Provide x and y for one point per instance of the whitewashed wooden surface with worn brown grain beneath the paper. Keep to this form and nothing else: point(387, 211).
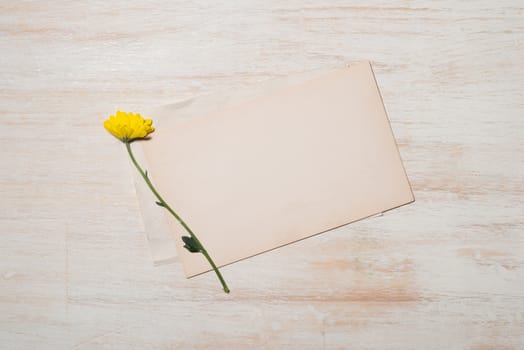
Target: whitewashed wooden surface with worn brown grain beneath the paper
point(446, 272)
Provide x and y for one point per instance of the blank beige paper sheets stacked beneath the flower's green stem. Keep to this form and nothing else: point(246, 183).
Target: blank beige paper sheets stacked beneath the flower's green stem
point(273, 166)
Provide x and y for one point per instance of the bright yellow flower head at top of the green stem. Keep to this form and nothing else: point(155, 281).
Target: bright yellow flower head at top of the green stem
point(128, 126)
